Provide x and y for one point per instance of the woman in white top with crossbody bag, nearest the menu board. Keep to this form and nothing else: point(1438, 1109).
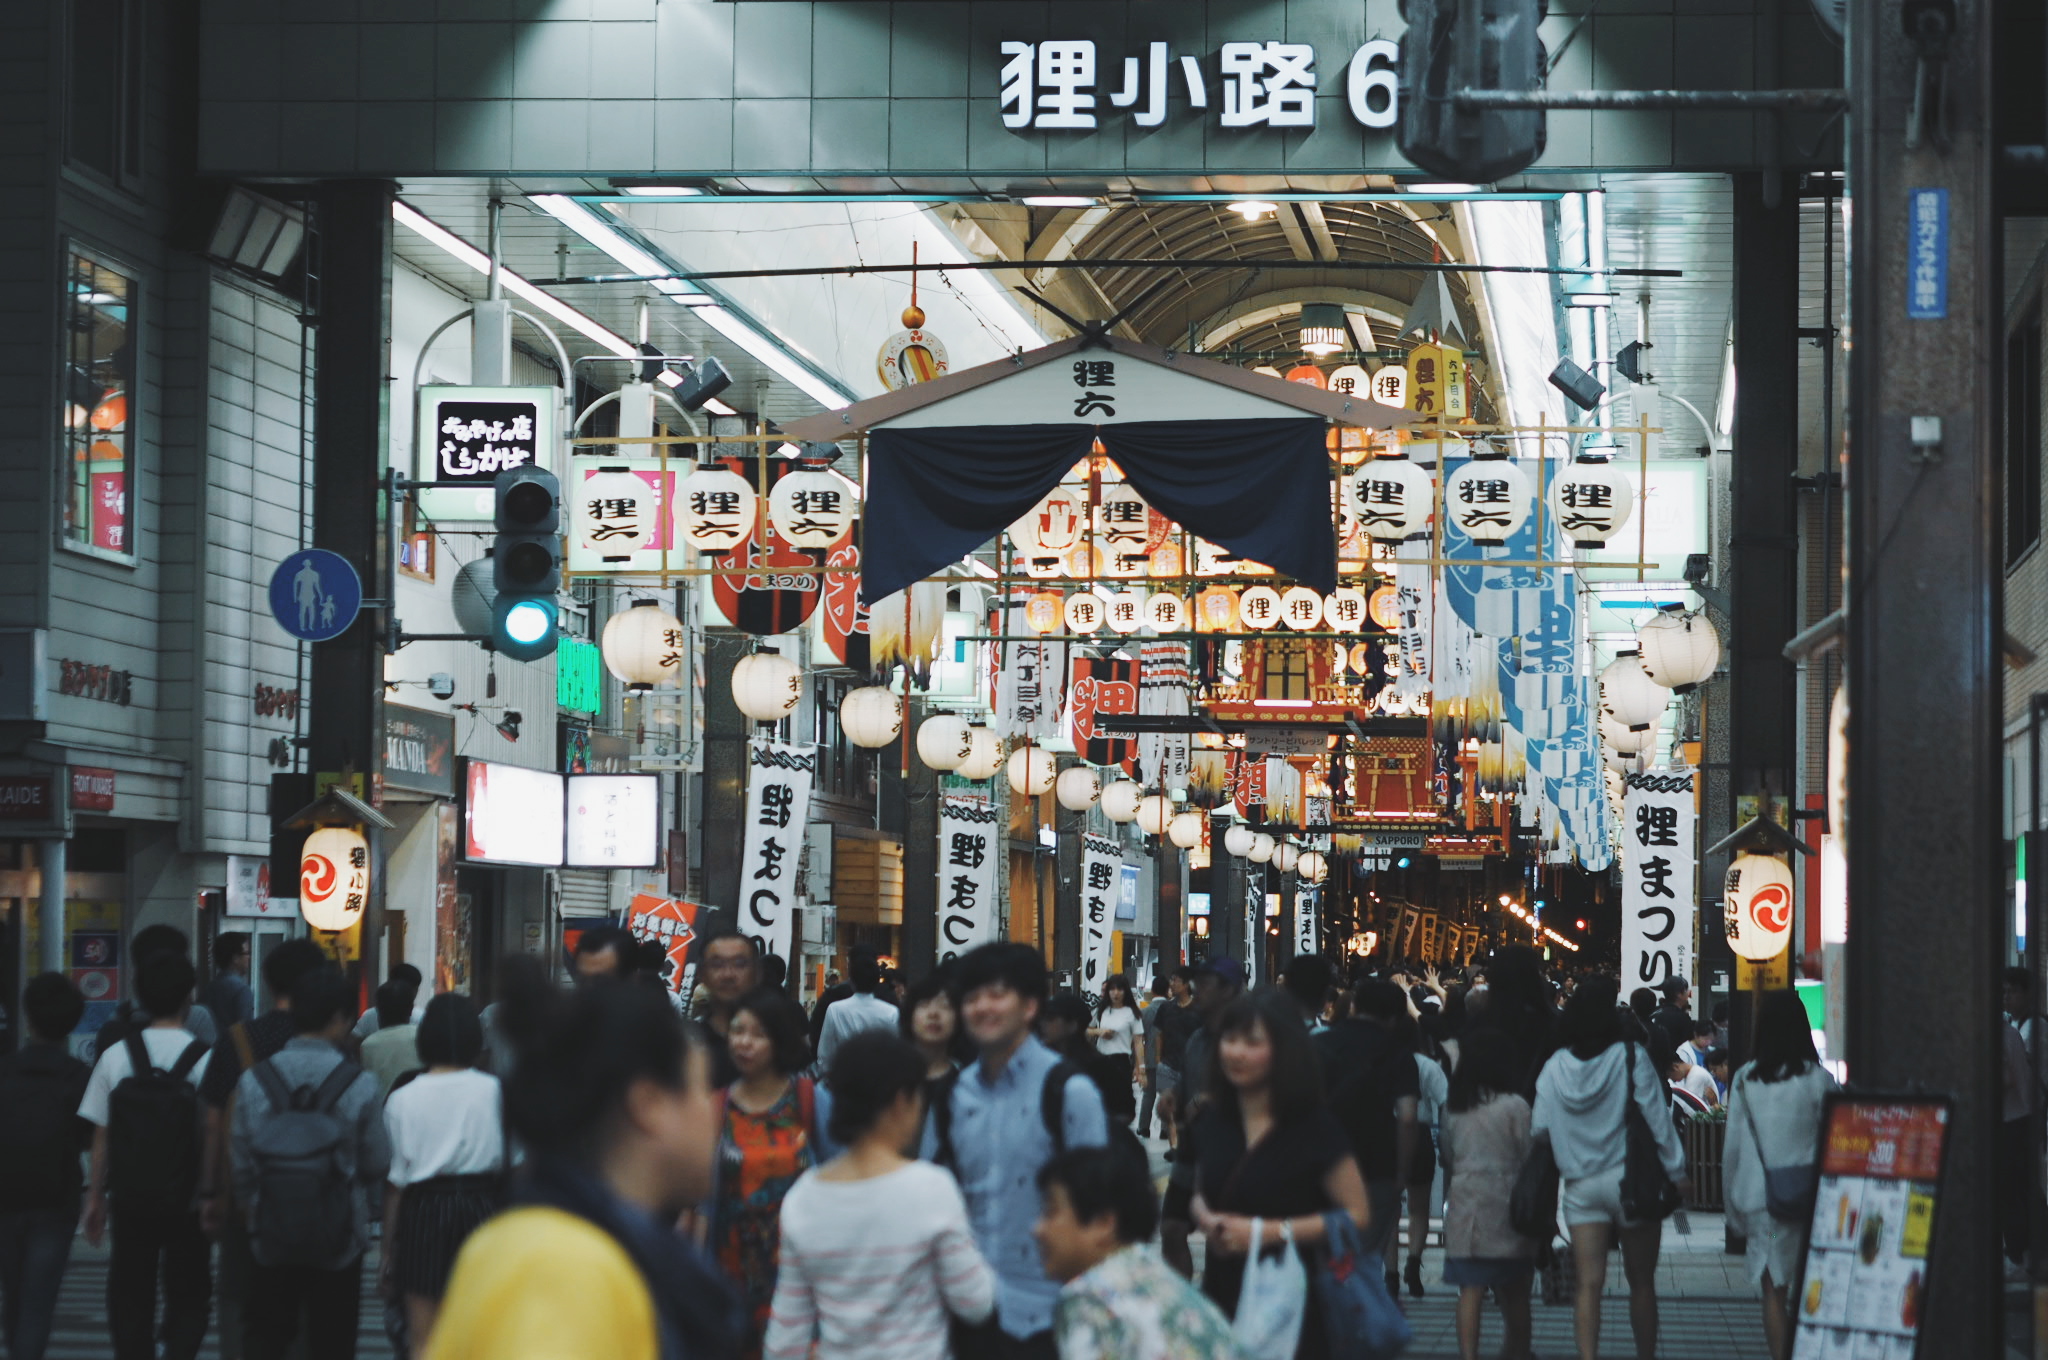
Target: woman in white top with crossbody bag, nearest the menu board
point(1775, 1121)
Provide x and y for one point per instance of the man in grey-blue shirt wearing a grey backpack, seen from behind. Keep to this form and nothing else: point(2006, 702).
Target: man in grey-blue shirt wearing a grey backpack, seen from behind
point(308, 1150)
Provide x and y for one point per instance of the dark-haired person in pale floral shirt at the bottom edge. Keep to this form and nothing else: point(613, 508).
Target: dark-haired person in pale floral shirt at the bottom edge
point(1119, 1302)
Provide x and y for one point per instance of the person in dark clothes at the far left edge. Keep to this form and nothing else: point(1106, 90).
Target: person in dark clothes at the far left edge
point(40, 1144)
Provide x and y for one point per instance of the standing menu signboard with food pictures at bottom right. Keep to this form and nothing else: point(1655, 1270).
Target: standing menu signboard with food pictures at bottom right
point(1865, 1287)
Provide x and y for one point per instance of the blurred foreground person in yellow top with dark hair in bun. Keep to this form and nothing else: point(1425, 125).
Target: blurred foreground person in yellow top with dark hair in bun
point(615, 1107)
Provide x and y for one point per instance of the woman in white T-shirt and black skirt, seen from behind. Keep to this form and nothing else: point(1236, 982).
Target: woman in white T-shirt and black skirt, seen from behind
point(450, 1160)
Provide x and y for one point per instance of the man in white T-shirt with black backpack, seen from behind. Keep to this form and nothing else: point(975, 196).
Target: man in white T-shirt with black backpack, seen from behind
point(144, 1105)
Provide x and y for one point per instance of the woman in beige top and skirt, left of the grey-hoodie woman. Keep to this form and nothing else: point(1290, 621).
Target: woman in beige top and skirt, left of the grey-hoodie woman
point(1486, 1144)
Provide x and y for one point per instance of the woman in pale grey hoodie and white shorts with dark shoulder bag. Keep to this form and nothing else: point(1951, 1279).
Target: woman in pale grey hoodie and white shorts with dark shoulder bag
point(1605, 1156)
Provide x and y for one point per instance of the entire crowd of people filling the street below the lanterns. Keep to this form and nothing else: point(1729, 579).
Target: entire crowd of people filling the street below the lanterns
point(947, 1166)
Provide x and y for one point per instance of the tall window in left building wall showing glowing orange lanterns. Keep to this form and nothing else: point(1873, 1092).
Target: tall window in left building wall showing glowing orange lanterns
point(97, 407)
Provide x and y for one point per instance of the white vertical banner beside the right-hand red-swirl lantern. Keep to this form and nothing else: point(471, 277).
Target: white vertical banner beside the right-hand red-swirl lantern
point(1660, 863)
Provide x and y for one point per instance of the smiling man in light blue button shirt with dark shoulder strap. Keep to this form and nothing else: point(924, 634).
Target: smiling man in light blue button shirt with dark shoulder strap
point(990, 1125)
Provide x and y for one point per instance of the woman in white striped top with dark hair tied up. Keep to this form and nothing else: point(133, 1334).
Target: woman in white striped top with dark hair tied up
point(876, 1246)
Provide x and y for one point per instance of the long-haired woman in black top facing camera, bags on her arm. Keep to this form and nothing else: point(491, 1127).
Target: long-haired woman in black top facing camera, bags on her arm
point(1269, 1148)
